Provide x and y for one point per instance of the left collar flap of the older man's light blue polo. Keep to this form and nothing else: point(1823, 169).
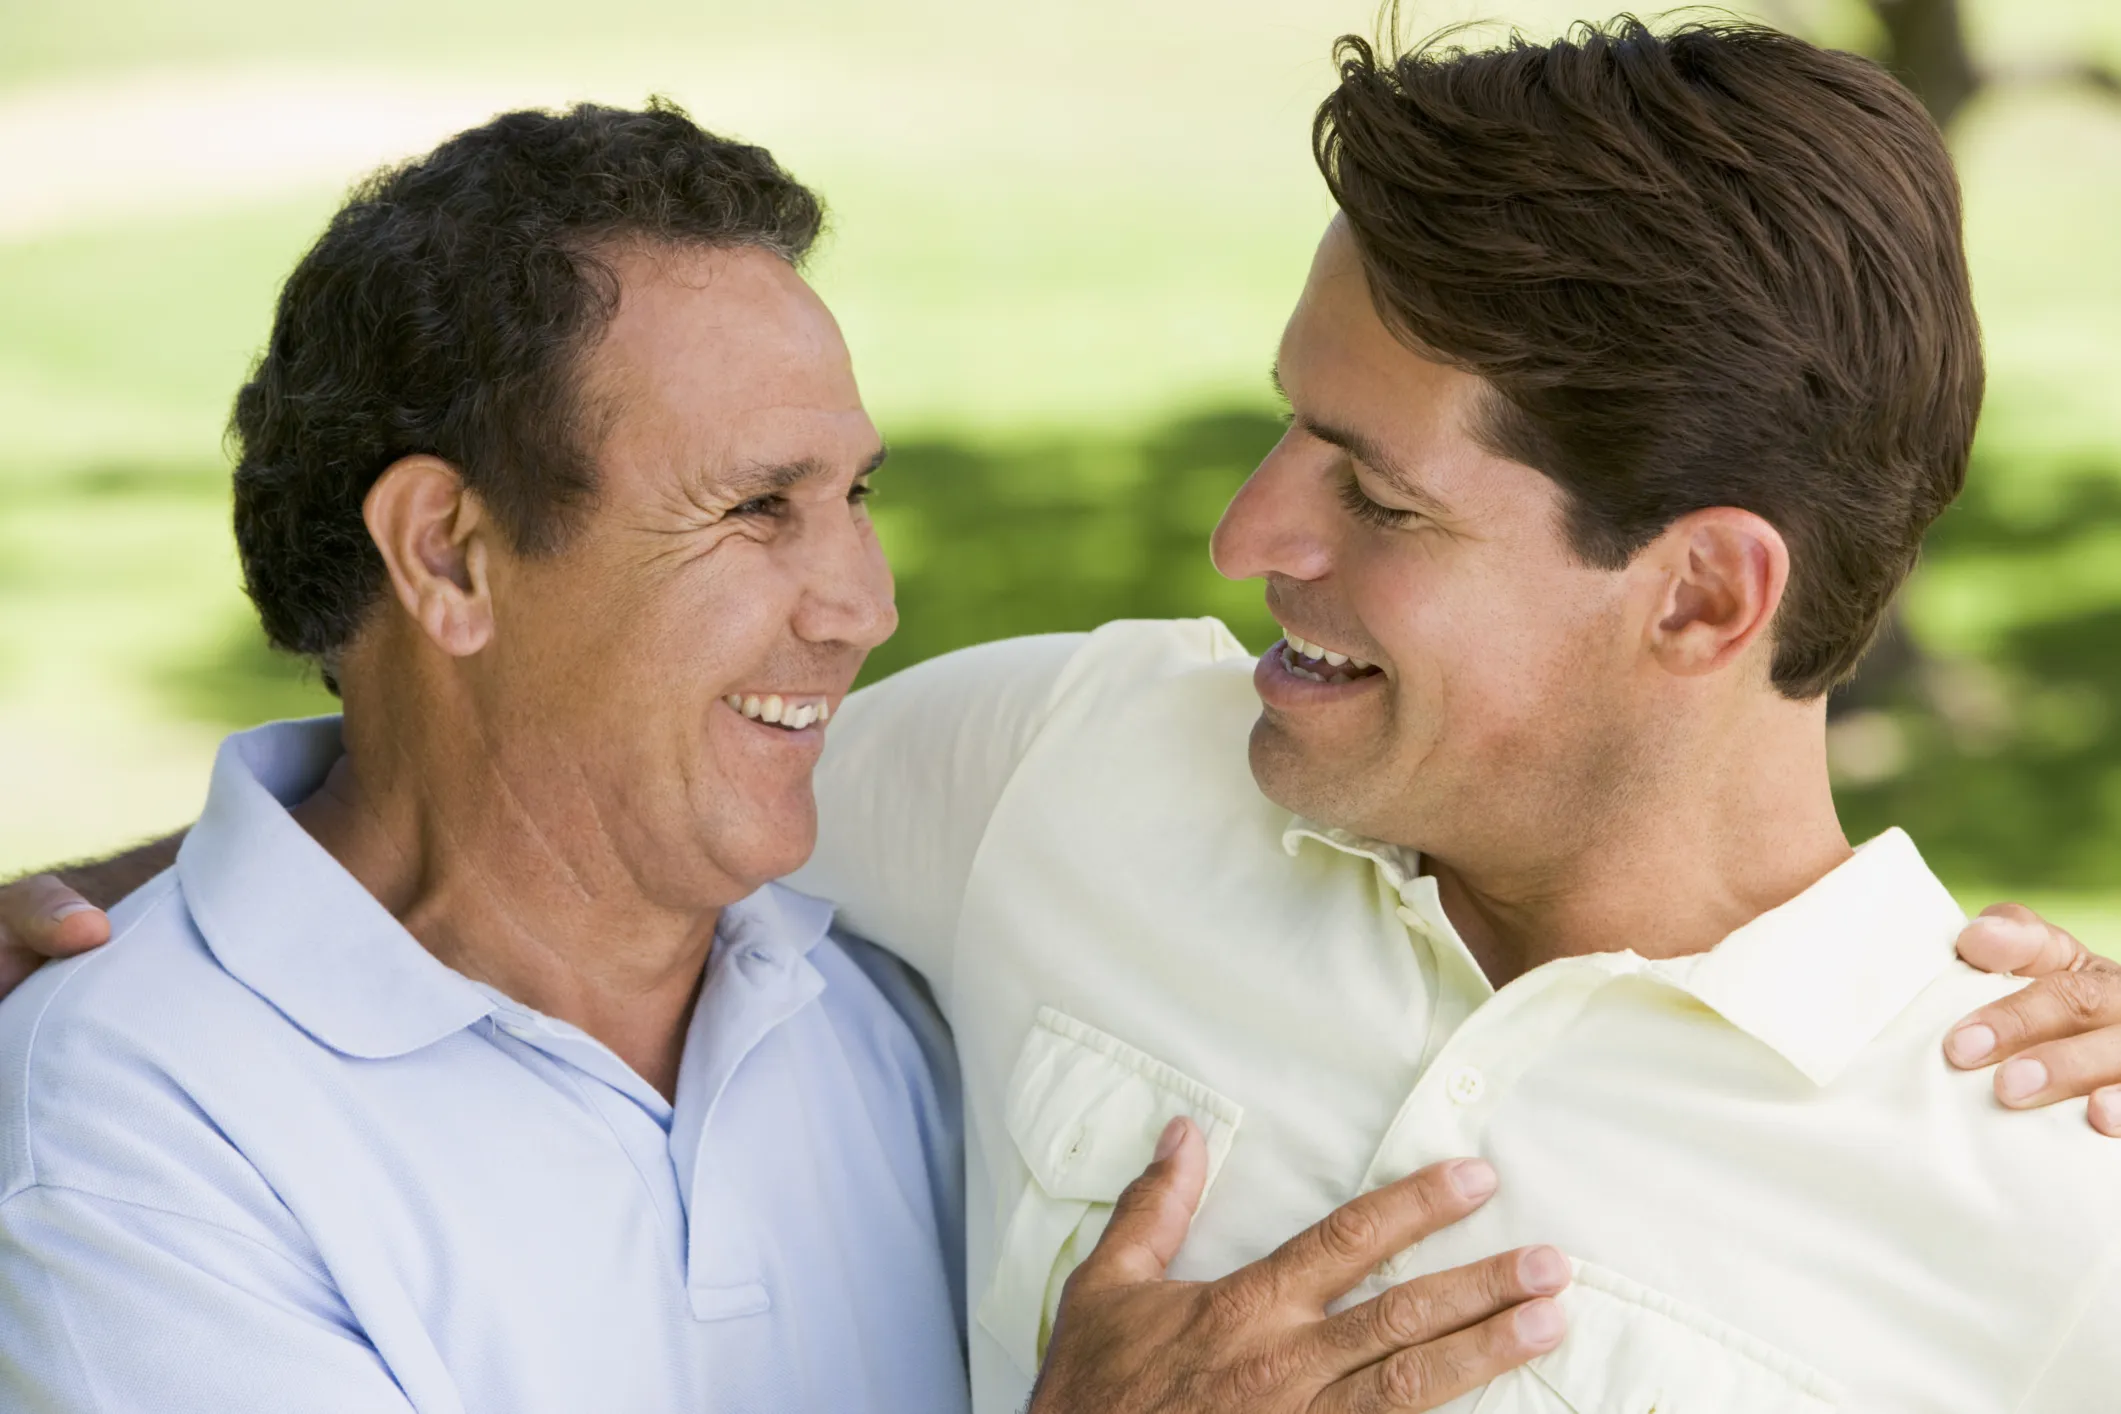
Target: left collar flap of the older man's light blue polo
point(296, 927)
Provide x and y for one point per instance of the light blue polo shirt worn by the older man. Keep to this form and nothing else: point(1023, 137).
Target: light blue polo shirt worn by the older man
point(266, 1154)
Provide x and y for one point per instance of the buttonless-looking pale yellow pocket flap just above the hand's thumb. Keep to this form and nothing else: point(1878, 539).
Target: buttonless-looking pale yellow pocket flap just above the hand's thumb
point(1087, 1110)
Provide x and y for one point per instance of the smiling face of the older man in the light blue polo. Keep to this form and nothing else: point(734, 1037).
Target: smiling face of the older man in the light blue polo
point(724, 578)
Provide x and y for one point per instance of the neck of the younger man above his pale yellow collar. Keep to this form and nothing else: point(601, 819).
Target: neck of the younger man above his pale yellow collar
point(1740, 824)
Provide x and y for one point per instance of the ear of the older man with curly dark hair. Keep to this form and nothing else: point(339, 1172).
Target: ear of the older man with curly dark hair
point(434, 537)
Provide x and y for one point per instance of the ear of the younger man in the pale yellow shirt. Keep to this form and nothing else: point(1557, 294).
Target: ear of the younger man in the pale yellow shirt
point(1723, 578)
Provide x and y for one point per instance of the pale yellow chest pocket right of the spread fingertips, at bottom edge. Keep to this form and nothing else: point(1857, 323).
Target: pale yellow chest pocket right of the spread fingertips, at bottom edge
point(1638, 1351)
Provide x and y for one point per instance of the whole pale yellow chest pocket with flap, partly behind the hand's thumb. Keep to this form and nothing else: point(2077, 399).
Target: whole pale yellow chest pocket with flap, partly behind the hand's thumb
point(1085, 1114)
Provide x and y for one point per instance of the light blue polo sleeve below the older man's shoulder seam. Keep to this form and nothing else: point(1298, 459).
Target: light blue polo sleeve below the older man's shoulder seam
point(116, 1307)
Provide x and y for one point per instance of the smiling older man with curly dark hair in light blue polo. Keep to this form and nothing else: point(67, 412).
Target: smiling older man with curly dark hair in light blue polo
point(468, 1061)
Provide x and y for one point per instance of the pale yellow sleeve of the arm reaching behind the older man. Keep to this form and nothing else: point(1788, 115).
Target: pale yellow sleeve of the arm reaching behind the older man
point(911, 777)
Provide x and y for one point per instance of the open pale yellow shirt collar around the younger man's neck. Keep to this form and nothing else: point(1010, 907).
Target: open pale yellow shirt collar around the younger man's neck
point(1815, 980)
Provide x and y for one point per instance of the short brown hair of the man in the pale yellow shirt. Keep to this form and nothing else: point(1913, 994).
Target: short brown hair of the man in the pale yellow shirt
point(1715, 266)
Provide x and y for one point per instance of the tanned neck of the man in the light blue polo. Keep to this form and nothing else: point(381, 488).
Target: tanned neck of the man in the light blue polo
point(432, 817)
